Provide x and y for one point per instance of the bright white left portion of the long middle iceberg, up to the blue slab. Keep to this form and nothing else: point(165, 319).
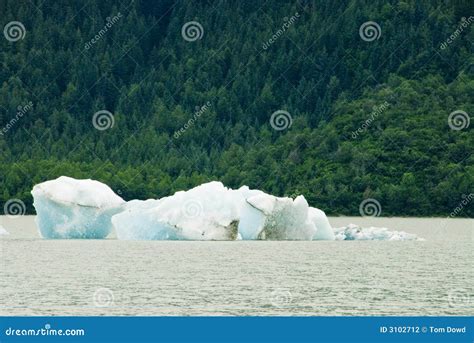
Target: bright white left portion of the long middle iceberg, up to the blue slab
point(207, 212)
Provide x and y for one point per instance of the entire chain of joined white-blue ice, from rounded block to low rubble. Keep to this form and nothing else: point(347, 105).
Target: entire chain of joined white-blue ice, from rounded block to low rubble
point(70, 208)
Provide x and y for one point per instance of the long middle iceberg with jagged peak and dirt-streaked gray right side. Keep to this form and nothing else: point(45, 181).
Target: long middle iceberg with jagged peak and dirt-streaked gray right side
point(212, 211)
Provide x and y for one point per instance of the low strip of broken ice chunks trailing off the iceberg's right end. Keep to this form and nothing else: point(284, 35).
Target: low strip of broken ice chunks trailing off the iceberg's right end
point(355, 232)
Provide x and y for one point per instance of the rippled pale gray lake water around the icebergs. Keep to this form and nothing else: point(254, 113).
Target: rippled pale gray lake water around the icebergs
point(112, 277)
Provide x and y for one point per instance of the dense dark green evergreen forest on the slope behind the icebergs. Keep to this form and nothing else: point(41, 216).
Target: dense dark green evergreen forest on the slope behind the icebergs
point(288, 97)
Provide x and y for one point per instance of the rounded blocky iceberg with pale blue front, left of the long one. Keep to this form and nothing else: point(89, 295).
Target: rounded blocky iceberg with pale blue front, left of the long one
point(70, 208)
